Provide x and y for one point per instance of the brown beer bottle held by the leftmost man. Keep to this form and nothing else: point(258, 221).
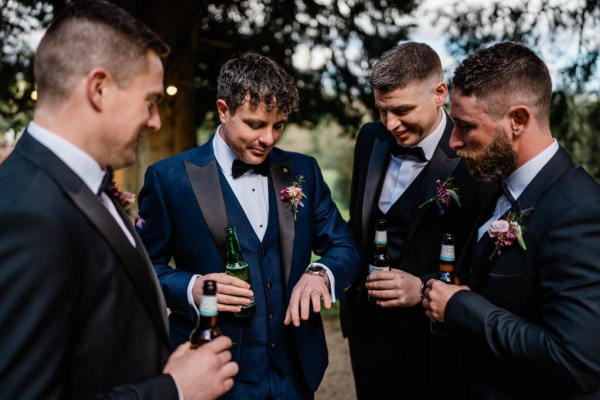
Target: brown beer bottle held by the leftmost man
point(207, 327)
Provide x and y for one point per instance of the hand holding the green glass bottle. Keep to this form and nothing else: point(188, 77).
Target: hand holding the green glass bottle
point(232, 292)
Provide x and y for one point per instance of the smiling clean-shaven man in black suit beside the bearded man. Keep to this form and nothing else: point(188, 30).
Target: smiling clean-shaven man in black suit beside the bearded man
point(393, 352)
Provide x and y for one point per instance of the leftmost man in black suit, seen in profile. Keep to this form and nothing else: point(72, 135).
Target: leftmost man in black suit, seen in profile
point(82, 314)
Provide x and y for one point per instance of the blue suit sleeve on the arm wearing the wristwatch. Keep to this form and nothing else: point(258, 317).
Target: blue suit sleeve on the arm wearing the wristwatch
point(334, 241)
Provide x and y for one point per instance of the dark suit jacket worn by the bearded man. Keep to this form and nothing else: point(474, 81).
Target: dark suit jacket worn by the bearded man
point(531, 325)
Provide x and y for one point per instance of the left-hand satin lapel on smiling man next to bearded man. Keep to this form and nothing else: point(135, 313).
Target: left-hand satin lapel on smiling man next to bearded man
point(375, 173)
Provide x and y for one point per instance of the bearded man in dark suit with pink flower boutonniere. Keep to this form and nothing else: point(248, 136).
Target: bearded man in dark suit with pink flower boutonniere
point(529, 315)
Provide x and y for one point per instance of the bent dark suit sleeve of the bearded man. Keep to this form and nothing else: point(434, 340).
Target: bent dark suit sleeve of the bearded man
point(563, 344)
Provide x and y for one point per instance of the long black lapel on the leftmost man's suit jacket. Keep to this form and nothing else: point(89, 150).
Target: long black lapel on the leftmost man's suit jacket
point(136, 267)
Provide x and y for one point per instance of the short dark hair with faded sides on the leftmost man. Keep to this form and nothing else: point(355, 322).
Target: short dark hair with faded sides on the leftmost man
point(90, 34)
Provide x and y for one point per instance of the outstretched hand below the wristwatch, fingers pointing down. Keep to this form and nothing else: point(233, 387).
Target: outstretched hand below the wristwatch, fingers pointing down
point(309, 289)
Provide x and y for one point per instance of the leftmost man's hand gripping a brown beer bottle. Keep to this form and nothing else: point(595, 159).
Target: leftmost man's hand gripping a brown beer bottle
point(205, 373)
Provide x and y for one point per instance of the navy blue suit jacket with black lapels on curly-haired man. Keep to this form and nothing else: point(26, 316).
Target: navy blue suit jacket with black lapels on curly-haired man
point(185, 215)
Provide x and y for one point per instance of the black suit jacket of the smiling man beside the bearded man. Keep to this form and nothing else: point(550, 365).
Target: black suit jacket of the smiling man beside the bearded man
point(421, 250)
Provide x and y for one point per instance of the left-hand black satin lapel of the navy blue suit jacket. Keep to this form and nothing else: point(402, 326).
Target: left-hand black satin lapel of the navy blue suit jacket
point(207, 189)
